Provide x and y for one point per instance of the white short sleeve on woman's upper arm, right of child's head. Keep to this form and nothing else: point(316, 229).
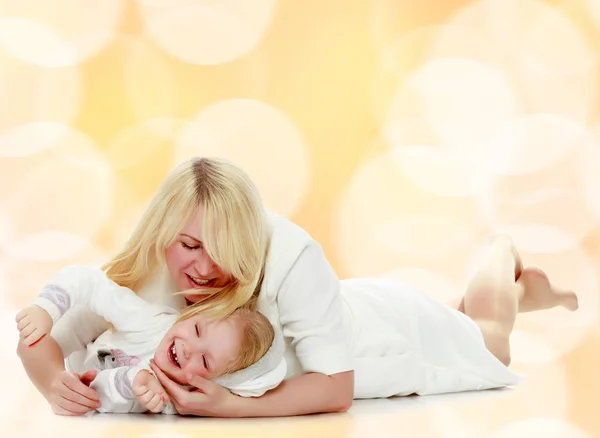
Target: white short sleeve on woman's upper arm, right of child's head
point(311, 313)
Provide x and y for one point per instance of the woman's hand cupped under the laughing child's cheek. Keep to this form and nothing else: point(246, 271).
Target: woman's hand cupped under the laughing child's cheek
point(207, 400)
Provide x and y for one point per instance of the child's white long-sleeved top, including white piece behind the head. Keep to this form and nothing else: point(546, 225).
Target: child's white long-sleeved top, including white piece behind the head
point(138, 326)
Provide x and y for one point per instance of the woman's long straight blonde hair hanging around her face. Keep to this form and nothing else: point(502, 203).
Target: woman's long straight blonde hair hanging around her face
point(235, 230)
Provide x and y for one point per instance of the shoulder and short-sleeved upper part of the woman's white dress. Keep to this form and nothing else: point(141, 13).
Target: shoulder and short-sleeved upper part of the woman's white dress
point(300, 296)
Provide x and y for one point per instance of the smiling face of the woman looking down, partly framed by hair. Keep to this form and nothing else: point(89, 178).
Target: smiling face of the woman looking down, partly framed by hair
point(189, 264)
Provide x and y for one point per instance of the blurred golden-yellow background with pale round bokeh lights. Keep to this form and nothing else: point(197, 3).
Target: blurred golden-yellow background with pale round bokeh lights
point(399, 133)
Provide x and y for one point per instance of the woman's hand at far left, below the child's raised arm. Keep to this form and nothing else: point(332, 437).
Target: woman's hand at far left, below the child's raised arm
point(70, 394)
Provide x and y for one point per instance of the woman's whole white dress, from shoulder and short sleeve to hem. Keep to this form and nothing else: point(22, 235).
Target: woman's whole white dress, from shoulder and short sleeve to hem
point(396, 340)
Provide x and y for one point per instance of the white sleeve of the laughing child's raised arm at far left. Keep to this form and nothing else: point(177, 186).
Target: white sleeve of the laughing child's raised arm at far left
point(77, 286)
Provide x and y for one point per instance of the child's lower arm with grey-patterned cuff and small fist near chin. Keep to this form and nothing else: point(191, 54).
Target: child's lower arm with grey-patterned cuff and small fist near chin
point(131, 390)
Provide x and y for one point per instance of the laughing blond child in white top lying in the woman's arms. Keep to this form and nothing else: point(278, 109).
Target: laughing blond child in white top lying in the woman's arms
point(231, 351)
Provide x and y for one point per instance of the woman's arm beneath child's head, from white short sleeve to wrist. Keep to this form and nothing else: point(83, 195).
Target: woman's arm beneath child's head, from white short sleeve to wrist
point(312, 315)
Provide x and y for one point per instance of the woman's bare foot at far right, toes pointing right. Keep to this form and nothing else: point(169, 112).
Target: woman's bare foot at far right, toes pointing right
point(539, 294)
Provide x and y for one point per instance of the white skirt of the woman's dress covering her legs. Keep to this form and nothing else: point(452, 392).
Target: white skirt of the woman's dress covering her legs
point(408, 343)
